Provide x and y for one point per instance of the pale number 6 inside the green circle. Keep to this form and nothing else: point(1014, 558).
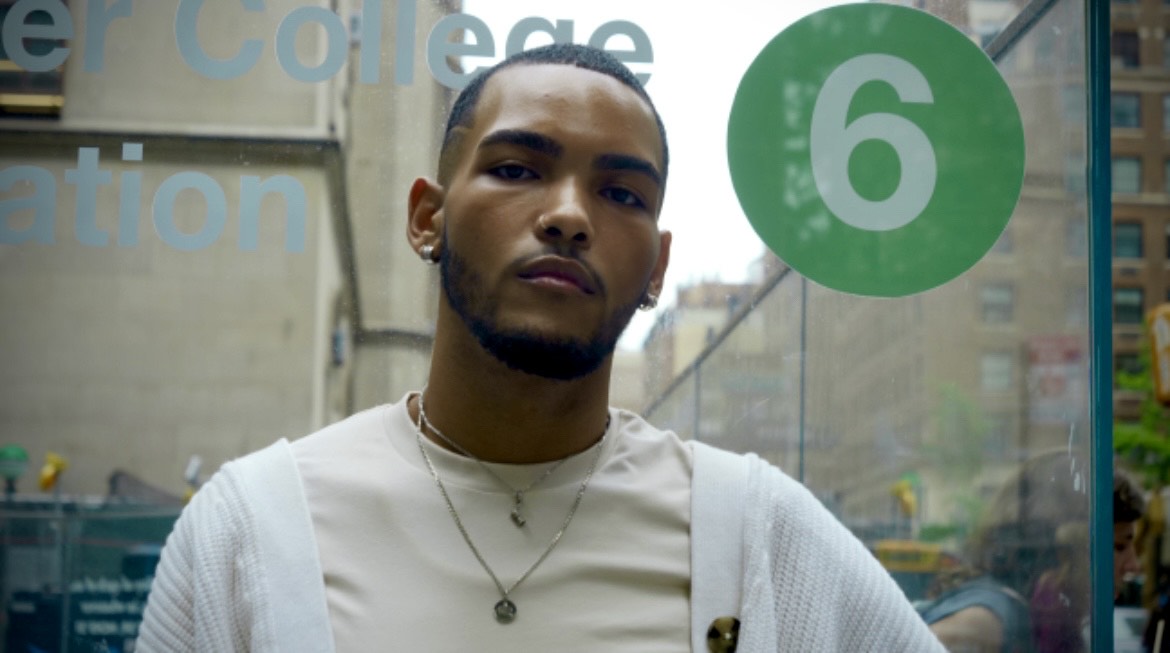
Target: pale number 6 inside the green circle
point(832, 142)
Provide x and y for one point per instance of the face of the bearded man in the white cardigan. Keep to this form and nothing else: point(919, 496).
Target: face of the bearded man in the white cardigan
point(550, 233)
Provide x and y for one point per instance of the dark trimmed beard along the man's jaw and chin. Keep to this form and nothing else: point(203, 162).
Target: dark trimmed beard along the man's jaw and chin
point(519, 349)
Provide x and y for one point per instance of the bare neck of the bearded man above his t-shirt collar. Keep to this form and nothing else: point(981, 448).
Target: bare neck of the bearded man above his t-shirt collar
point(500, 415)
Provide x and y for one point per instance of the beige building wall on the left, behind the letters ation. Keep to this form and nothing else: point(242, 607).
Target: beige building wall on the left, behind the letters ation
point(202, 251)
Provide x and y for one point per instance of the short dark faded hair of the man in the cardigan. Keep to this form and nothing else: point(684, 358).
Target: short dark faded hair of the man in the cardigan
point(589, 58)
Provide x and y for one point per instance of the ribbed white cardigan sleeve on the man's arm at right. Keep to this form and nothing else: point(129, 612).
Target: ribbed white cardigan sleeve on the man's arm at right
point(811, 586)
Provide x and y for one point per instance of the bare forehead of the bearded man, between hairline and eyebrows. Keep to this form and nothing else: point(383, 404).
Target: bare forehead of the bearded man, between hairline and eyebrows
point(569, 105)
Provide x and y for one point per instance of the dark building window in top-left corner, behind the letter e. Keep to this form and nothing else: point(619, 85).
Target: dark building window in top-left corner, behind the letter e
point(24, 93)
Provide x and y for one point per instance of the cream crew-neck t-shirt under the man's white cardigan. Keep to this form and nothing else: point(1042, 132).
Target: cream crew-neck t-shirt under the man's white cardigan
point(400, 575)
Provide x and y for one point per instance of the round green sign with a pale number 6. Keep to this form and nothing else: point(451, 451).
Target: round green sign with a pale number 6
point(876, 149)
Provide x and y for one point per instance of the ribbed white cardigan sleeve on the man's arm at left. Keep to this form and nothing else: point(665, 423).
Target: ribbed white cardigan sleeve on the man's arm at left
point(208, 590)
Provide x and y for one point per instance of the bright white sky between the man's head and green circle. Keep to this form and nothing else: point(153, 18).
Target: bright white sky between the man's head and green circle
point(700, 53)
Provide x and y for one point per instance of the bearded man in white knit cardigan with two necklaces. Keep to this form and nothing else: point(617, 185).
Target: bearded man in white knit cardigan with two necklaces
point(506, 507)
